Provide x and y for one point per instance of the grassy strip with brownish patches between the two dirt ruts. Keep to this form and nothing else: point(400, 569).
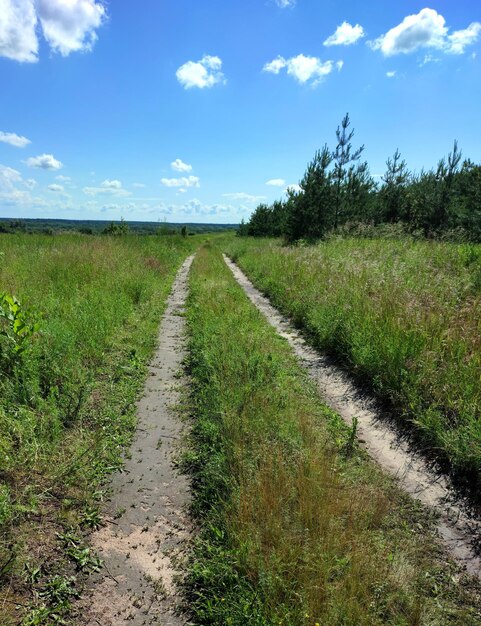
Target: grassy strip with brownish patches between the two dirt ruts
point(297, 527)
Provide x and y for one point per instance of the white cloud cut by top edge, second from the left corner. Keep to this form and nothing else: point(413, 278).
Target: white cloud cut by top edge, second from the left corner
point(69, 25)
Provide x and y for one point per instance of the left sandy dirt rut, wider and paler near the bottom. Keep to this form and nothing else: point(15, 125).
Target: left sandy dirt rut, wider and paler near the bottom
point(149, 525)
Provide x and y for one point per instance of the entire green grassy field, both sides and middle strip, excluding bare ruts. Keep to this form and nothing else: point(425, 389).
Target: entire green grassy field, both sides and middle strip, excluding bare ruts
point(294, 524)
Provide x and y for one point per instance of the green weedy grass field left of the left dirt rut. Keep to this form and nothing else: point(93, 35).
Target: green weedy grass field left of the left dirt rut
point(73, 351)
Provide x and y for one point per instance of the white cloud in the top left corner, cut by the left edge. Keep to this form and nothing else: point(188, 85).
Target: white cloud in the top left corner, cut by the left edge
point(18, 39)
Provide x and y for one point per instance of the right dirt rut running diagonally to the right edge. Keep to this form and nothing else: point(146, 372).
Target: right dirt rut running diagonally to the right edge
point(459, 530)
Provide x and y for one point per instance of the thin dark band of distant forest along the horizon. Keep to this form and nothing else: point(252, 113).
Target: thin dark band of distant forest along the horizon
point(97, 227)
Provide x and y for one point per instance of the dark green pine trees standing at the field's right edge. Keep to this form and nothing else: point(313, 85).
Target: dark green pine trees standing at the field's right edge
point(338, 194)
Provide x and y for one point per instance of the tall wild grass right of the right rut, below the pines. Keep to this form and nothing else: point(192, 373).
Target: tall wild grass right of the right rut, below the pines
point(403, 315)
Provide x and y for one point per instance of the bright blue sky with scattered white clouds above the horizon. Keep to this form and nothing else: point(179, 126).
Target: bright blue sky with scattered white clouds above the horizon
point(188, 111)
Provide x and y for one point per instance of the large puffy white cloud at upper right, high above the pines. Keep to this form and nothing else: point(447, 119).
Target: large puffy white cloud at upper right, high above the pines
point(426, 29)
